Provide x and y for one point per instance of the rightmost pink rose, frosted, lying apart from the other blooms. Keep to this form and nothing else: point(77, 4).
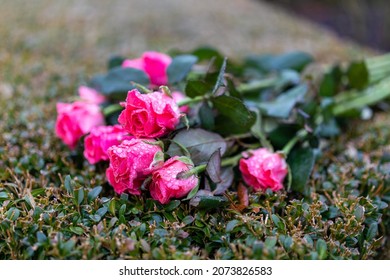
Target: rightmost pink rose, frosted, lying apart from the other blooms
point(262, 169)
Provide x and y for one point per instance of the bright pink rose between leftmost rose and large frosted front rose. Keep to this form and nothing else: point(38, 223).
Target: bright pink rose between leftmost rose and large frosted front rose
point(100, 139)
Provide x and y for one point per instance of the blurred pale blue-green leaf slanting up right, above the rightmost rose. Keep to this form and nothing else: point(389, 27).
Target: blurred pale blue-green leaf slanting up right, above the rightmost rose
point(281, 107)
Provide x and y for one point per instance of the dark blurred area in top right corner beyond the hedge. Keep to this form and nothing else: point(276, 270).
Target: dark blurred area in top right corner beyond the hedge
point(364, 21)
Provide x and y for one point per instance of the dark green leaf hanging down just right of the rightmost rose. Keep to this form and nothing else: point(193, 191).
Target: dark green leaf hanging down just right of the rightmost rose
point(301, 162)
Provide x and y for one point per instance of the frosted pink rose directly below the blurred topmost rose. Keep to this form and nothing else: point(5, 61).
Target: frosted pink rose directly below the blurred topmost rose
point(149, 115)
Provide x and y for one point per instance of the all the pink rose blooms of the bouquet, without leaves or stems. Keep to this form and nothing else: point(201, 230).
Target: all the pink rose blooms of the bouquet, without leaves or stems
point(136, 160)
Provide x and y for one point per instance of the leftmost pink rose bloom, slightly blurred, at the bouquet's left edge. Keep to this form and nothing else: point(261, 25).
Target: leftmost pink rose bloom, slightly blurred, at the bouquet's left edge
point(76, 119)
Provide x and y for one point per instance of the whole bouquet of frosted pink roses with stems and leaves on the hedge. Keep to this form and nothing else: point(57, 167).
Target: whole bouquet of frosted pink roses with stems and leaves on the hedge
point(194, 126)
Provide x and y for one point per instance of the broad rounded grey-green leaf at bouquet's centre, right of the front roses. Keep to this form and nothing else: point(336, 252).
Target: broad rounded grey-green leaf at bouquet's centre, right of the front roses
point(201, 144)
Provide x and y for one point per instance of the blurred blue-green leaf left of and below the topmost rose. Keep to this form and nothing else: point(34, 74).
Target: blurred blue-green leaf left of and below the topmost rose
point(117, 82)
